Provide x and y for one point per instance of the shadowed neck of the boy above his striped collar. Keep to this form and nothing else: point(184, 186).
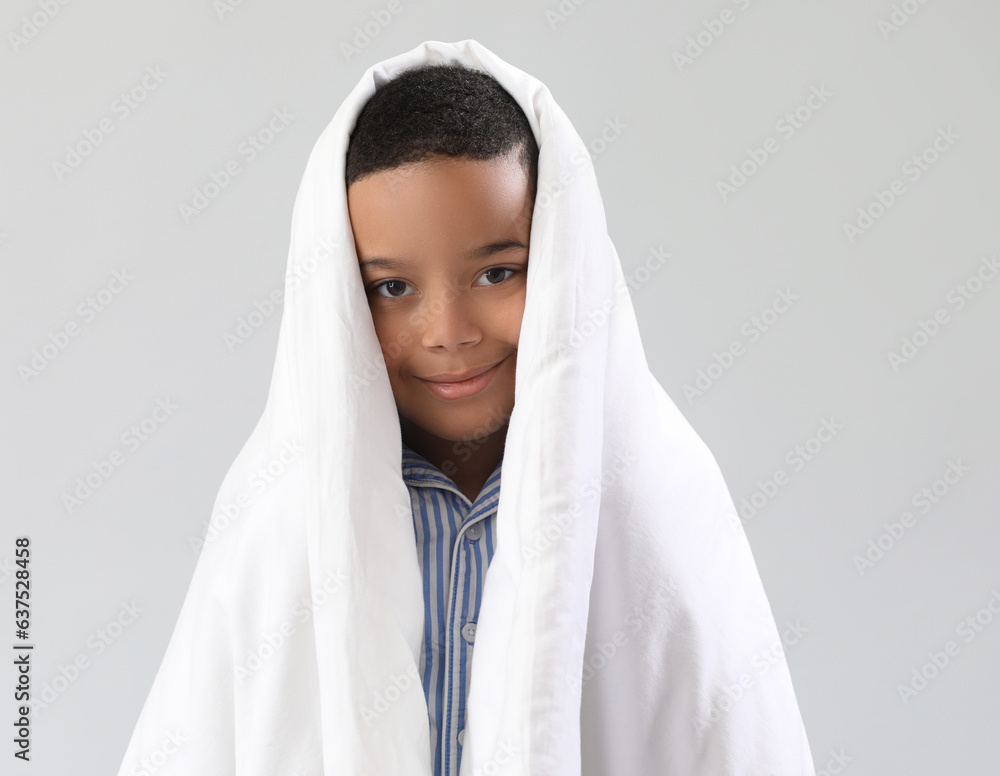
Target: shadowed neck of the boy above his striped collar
point(468, 464)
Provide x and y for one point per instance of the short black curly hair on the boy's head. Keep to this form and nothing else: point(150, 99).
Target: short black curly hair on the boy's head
point(442, 109)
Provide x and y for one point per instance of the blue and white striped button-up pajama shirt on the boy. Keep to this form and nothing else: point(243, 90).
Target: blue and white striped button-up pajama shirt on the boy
point(455, 542)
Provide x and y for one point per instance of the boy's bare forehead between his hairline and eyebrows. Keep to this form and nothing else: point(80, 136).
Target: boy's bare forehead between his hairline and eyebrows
point(443, 204)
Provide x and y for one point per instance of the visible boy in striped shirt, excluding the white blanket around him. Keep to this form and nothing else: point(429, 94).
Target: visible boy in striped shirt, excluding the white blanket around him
point(440, 185)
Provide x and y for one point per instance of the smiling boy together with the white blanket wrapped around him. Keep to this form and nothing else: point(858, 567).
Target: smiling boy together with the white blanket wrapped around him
point(622, 623)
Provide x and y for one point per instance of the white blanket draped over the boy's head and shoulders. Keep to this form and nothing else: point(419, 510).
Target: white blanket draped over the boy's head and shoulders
point(624, 629)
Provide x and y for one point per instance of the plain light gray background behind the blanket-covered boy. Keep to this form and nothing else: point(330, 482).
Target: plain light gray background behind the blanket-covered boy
point(861, 635)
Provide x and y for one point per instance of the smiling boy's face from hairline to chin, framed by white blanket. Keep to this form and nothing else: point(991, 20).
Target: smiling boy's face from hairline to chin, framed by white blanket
point(443, 246)
